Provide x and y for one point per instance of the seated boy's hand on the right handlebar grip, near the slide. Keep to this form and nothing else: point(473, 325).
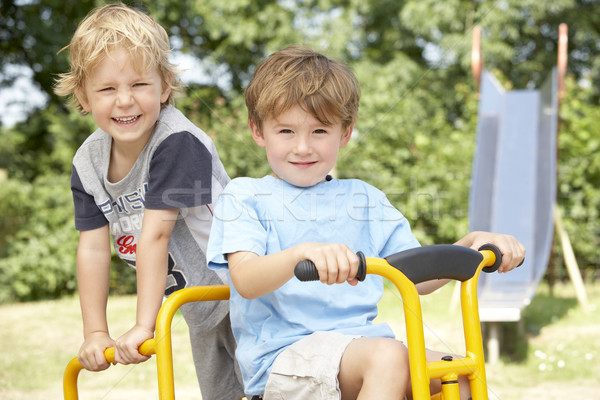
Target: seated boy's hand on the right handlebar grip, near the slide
point(513, 252)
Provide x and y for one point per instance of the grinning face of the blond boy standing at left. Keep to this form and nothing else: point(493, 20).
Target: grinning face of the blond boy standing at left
point(123, 102)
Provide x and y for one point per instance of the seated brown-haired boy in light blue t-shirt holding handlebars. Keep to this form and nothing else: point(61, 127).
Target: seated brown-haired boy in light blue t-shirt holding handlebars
point(299, 340)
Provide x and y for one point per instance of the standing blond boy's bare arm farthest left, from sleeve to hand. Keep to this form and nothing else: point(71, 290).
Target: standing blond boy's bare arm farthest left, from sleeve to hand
point(93, 277)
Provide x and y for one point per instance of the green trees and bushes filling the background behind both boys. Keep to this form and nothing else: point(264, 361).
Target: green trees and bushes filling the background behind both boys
point(415, 134)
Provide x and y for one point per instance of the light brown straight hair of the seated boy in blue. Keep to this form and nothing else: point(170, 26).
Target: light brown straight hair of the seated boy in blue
point(297, 75)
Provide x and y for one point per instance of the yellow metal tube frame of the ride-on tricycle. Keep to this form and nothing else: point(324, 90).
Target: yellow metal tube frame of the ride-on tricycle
point(422, 371)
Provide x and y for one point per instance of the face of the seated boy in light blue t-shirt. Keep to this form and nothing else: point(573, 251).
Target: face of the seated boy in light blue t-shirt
point(300, 149)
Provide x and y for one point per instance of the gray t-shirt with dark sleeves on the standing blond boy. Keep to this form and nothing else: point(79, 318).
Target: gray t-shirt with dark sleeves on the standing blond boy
point(179, 168)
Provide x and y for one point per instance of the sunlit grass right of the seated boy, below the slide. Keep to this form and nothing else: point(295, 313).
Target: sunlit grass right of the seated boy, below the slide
point(553, 353)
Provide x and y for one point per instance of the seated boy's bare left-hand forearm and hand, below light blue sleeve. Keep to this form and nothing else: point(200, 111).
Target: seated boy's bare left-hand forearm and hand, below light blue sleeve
point(254, 276)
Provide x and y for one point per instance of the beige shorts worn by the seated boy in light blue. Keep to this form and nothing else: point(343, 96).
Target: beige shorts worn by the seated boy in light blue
point(309, 368)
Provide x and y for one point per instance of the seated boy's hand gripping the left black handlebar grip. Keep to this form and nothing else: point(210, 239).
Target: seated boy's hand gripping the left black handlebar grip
point(336, 263)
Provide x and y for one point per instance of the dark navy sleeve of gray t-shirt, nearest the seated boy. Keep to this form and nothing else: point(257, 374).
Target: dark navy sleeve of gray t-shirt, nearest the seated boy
point(180, 174)
